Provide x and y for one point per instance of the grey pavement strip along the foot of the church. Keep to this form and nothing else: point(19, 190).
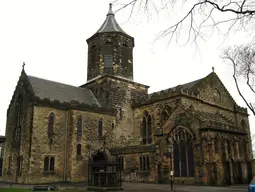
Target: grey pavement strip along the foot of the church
point(135, 187)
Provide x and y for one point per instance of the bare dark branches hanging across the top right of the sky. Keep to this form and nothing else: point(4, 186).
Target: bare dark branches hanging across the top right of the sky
point(199, 17)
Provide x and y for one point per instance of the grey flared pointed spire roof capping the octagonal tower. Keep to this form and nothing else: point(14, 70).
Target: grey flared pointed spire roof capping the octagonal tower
point(110, 24)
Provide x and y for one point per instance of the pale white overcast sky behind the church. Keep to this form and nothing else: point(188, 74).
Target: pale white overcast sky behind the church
point(50, 37)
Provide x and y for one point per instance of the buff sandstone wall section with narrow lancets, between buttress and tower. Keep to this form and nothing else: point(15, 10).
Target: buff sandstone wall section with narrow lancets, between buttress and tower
point(90, 141)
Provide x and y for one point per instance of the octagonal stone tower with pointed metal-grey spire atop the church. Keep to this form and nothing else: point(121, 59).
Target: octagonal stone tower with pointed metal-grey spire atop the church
point(110, 51)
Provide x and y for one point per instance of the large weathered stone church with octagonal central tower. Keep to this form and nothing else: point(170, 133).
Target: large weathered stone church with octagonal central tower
point(52, 128)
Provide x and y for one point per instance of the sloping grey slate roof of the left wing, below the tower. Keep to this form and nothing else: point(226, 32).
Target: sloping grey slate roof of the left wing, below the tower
point(58, 91)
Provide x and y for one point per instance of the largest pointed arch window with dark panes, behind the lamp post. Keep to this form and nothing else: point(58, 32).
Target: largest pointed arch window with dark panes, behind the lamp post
point(183, 154)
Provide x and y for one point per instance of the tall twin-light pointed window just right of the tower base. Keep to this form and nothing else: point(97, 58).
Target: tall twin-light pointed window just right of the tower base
point(146, 129)
